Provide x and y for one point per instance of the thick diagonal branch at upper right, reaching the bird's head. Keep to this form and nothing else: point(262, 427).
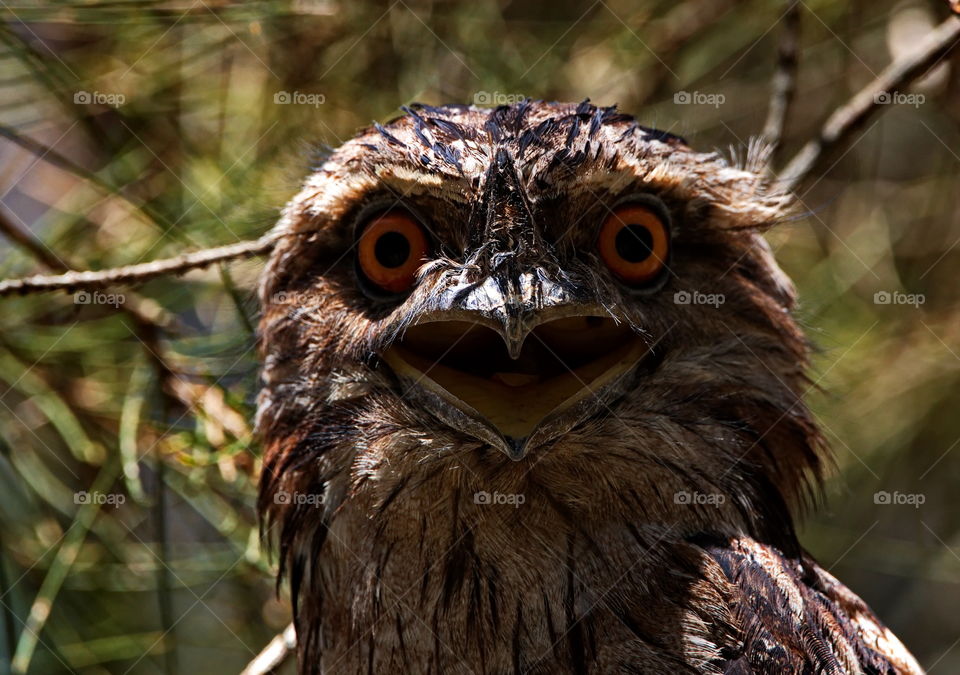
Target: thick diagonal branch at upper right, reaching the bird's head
point(842, 124)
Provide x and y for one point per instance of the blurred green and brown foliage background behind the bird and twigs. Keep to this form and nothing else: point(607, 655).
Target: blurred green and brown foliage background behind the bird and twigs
point(132, 130)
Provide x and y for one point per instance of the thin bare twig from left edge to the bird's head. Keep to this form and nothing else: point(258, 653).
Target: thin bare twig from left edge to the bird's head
point(133, 274)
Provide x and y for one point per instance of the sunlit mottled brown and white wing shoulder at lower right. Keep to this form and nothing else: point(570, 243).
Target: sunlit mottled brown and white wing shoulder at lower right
point(786, 613)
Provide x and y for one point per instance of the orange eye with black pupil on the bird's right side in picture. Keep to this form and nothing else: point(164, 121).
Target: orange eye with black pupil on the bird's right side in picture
point(633, 243)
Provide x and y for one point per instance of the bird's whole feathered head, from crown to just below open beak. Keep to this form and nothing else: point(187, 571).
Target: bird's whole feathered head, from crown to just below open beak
point(543, 278)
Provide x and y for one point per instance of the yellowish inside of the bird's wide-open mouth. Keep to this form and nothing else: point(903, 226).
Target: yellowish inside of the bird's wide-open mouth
point(561, 366)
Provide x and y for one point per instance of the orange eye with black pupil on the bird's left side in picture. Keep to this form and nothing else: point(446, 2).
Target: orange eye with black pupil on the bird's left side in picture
point(391, 249)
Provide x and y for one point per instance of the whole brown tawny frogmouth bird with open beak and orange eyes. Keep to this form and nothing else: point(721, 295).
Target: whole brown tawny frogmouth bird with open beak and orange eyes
point(533, 402)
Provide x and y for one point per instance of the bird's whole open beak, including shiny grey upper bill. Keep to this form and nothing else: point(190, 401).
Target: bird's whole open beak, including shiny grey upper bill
point(515, 362)
